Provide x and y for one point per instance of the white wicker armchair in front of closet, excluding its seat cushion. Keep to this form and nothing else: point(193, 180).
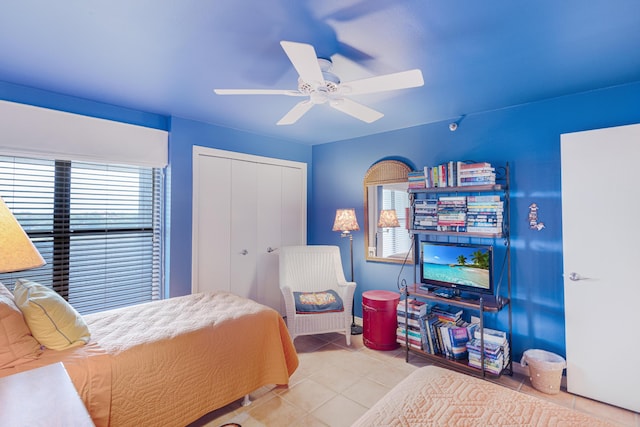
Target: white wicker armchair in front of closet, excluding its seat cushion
point(315, 268)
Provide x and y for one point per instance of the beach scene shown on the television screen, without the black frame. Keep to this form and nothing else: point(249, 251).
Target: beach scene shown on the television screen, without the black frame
point(467, 266)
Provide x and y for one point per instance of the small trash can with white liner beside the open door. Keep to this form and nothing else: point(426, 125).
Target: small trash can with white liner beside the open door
point(545, 370)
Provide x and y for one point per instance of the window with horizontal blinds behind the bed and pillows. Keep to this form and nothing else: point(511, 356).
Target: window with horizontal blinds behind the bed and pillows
point(97, 226)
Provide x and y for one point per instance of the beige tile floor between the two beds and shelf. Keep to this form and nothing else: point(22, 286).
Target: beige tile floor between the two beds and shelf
point(335, 384)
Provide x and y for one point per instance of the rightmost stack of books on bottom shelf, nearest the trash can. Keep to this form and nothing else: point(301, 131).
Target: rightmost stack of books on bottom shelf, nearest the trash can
point(496, 350)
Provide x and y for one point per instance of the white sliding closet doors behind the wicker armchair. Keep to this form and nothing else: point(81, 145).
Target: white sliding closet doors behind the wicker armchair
point(244, 209)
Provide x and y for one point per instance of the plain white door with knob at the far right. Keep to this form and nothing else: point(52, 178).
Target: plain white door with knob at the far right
point(600, 210)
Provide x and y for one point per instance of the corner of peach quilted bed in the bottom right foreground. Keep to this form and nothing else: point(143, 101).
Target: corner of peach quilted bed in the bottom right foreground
point(434, 396)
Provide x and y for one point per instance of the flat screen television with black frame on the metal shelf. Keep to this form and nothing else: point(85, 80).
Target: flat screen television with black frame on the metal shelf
point(461, 267)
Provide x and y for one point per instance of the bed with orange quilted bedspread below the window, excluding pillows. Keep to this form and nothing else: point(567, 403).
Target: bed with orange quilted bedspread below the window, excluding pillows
point(169, 362)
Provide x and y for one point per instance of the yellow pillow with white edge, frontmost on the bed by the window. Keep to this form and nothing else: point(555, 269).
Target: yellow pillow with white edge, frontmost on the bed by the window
point(52, 320)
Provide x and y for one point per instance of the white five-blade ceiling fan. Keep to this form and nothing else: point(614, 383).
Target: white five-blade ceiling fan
point(321, 86)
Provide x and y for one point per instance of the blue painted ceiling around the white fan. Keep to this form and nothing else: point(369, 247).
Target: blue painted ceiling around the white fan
point(166, 57)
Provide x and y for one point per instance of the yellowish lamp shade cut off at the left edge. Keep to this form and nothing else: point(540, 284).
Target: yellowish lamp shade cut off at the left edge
point(17, 253)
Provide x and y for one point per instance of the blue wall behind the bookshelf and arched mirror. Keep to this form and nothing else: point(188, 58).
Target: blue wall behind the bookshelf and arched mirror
point(526, 136)
